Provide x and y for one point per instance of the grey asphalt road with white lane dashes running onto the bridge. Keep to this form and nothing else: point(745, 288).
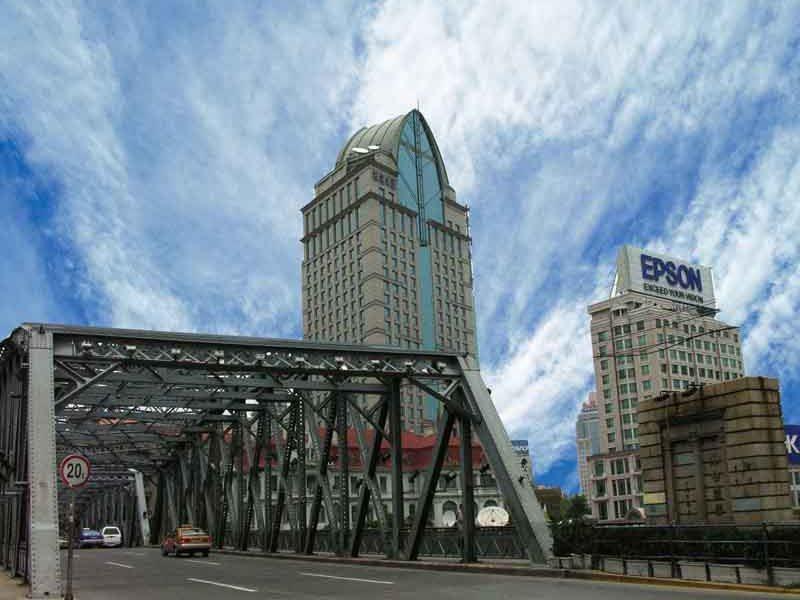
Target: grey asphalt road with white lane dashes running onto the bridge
point(143, 574)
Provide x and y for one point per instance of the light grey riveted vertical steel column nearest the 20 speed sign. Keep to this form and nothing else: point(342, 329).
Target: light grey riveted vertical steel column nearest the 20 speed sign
point(44, 564)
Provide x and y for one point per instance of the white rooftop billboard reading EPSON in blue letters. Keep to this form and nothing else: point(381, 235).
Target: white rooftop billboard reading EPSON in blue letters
point(671, 278)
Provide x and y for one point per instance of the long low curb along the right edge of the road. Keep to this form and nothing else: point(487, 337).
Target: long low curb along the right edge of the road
point(495, 569)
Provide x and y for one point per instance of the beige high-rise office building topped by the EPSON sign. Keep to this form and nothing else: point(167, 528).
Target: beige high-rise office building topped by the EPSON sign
point(656, 333)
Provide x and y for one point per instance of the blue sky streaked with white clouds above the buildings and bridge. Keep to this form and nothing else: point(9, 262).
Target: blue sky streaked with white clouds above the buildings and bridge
point(154, 157)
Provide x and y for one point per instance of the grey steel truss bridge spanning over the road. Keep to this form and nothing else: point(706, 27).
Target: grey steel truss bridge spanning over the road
point(192, 428)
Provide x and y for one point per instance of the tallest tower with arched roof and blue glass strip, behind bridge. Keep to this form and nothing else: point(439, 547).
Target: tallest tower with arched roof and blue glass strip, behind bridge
point(387, 256)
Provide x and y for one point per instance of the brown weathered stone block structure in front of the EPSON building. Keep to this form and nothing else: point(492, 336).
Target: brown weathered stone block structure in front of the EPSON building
point(715, 455)
